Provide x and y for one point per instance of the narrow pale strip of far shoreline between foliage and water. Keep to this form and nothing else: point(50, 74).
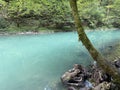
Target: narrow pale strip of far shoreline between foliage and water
point(43, 30)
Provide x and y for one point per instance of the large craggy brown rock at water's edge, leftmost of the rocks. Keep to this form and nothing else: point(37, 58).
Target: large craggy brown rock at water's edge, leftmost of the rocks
point(77, 77)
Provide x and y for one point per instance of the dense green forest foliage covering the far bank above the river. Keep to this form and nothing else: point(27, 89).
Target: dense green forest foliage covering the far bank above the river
point(57, 13)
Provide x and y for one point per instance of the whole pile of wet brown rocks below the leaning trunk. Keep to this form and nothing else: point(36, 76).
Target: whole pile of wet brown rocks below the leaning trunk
point(93, 78)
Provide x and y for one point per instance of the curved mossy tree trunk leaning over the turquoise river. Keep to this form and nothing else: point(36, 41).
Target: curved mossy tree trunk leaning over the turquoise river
point(102, 62)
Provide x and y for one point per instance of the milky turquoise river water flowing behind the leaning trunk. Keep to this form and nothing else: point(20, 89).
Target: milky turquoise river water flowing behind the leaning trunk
point(36, 62)
